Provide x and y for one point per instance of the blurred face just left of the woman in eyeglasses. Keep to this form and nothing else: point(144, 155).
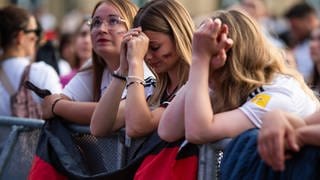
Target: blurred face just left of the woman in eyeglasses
point(83, 45)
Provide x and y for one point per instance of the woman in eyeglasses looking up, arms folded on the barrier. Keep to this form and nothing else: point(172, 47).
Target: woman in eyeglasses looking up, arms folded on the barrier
point(110, 20)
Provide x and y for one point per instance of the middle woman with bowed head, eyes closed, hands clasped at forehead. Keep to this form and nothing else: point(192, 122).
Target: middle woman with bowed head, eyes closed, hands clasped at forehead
point(162, 38)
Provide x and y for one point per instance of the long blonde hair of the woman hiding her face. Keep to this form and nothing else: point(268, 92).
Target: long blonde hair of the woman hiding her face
point(251, 62)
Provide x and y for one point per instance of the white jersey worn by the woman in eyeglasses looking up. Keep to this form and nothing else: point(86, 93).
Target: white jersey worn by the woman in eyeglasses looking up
point(80, 87)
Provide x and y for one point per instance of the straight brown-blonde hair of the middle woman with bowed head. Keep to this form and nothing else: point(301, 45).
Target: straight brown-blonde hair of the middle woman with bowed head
point(171, 18)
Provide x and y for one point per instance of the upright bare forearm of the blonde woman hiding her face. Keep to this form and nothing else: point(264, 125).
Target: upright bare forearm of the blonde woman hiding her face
point(198, 110)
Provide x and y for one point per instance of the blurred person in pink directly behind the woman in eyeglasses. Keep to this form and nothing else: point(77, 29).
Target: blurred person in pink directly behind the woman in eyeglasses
point(82, 50)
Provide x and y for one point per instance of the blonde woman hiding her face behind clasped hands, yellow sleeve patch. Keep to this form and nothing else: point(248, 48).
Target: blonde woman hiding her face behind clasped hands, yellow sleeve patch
point(235, 78)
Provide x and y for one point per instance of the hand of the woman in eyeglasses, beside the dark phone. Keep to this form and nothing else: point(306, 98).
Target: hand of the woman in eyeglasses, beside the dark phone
point(47, 105)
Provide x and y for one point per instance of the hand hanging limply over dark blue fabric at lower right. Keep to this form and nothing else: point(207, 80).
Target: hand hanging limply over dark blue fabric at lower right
point(277, 135)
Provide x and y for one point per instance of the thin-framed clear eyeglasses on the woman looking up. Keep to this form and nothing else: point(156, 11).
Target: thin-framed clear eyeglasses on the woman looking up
point(113, 21)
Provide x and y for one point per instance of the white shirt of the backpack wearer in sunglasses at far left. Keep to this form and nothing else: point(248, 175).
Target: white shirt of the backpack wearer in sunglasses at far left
point(41, 74)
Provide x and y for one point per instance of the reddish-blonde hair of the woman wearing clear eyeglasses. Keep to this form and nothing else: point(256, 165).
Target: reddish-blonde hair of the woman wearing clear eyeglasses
point(128, 10)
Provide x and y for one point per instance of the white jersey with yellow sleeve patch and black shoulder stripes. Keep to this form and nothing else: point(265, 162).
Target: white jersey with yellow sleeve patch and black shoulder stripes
point(284, 93)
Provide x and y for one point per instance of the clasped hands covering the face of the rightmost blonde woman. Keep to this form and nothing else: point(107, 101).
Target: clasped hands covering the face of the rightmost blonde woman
point(210, 42)
